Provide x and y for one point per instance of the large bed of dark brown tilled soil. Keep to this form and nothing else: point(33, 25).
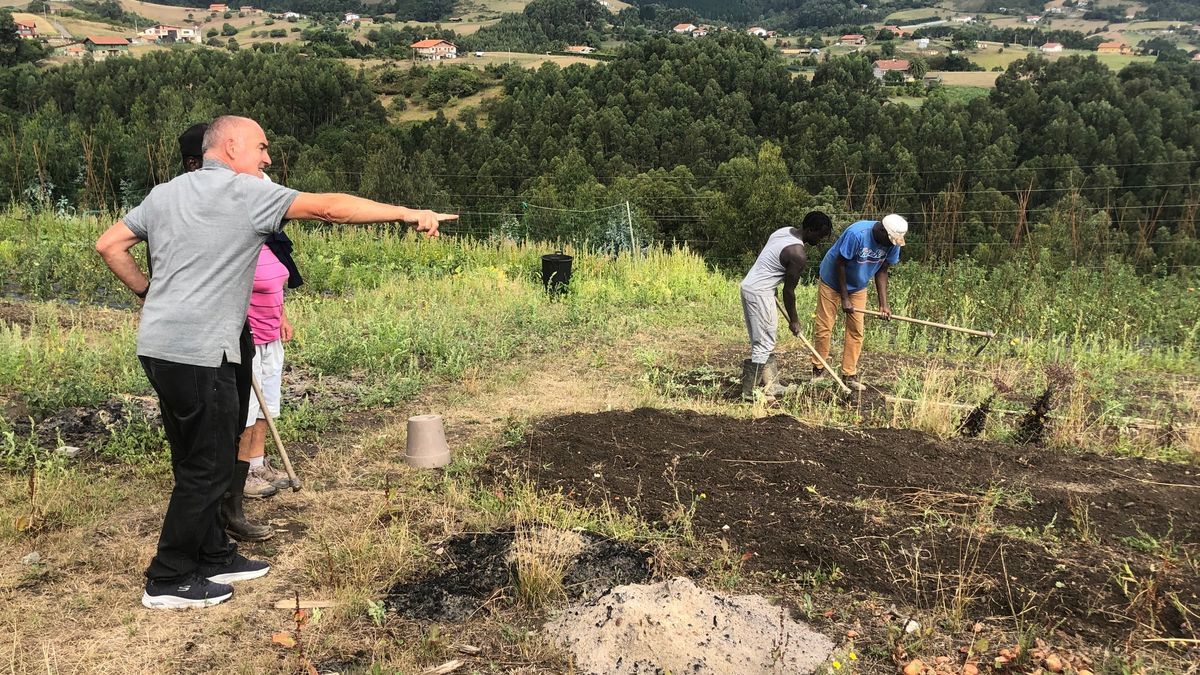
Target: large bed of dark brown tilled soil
point(1106, 545)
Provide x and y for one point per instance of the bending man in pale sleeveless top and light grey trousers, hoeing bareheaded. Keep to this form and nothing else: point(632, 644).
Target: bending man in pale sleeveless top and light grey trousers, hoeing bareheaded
point(782, 261)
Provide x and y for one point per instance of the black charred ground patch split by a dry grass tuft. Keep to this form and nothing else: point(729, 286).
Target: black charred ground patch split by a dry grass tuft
point(478, 568)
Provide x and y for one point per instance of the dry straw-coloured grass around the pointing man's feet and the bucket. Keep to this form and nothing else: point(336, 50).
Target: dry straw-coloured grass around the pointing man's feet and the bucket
point(363, 522)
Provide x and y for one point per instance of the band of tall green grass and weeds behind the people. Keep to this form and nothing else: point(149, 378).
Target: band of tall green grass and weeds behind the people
point(394, 312)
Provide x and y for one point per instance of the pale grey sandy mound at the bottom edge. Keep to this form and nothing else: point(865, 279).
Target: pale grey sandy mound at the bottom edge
point(676, 628)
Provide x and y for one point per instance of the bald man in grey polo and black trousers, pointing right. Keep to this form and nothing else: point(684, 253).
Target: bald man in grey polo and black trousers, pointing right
point(205, 231)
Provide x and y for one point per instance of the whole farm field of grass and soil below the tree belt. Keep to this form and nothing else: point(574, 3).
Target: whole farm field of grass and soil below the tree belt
point(614, 410)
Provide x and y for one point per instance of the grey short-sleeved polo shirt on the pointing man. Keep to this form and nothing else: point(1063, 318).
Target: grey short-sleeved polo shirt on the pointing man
point(205, 231)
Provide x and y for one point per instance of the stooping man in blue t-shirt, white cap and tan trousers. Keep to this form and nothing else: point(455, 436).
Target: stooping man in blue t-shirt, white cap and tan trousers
point(866, 249)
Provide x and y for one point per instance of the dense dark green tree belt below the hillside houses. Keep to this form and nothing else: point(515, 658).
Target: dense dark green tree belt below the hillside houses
point(711, 141)
